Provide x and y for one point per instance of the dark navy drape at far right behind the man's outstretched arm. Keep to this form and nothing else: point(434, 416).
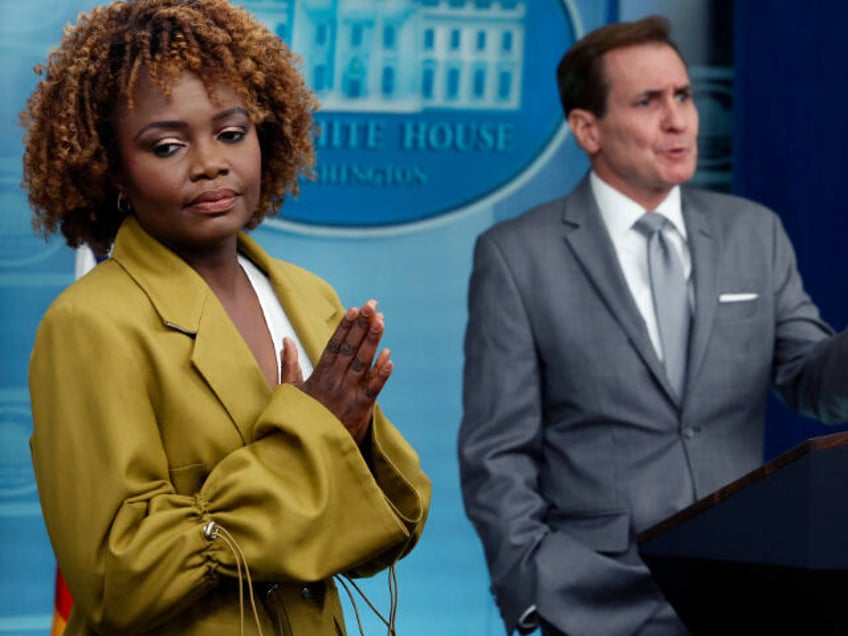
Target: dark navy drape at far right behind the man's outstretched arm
point(790, 136)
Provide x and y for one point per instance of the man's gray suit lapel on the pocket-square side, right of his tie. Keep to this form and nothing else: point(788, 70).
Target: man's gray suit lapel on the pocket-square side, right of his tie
point(704, 249)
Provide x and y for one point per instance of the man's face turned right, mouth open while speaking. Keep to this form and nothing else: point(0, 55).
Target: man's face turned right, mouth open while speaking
point(646, 143)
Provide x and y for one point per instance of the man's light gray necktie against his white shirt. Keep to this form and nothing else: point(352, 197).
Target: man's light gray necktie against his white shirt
point(671, 297)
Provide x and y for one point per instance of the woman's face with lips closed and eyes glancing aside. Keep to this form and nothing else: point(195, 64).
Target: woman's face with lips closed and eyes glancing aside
point(190, 165)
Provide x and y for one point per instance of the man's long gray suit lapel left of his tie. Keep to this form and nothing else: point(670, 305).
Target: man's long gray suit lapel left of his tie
point(588, 238)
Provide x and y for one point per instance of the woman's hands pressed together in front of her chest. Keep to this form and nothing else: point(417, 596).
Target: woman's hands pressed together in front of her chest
point(344, 379)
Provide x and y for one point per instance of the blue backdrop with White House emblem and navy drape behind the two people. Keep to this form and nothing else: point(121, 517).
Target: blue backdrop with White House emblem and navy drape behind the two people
point(462, 130)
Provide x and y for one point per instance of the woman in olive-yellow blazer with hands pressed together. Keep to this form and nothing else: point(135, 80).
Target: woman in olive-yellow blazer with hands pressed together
point(180, 454)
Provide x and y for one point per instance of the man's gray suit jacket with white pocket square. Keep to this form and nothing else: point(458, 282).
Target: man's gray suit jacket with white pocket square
point(572, 441)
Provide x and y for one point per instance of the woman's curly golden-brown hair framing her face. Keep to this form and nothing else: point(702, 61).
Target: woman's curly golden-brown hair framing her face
point(71, 147)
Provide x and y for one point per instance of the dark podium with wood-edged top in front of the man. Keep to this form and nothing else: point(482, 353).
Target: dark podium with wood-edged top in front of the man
point(767, 554)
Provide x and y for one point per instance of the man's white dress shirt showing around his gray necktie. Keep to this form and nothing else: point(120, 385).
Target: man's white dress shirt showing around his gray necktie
point(619, 213)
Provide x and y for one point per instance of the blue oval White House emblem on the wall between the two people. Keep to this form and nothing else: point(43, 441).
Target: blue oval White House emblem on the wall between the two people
point(426, 105)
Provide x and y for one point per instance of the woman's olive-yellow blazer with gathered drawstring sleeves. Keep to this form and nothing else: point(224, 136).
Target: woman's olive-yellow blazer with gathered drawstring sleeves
point(152, 418)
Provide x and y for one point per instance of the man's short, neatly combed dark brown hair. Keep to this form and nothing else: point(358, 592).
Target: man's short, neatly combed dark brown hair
point(581, 73)
